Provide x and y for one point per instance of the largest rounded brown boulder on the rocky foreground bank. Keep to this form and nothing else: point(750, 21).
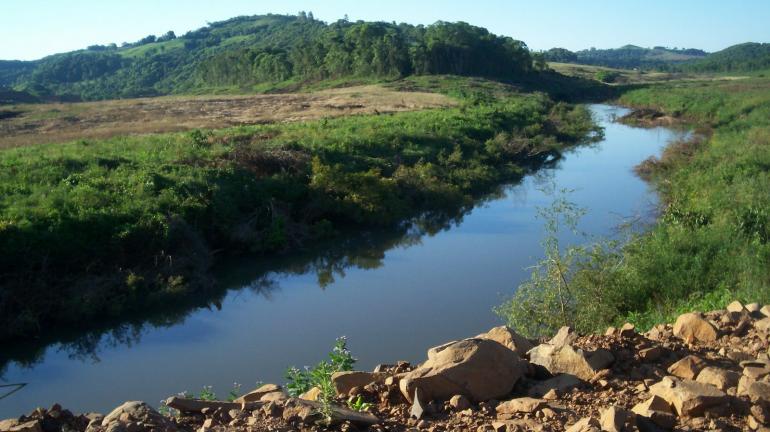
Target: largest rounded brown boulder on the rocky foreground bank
point(479, 369)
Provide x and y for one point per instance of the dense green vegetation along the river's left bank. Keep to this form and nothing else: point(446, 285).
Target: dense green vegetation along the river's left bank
point(93, 229)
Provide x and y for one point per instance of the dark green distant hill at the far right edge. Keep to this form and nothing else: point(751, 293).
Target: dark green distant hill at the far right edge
point(744, 57)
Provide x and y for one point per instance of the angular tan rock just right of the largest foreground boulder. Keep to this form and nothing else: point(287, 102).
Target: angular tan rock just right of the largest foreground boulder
point(566, 359)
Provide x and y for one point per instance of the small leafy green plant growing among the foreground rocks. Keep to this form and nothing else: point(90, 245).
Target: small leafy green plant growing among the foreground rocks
point(300, 381)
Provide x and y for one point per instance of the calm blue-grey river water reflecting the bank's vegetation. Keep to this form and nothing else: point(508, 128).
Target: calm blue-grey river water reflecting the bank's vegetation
point(393, 294)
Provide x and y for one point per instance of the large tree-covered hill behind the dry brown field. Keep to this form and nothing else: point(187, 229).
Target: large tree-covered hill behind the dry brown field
point(267, 52)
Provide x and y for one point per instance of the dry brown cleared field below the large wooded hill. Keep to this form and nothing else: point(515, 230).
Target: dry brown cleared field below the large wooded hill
point(44, 123)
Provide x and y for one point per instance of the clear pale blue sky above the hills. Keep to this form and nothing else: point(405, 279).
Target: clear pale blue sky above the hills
point(30, 29)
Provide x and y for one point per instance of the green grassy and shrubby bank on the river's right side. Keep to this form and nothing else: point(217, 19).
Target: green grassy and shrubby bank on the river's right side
point(711, 243)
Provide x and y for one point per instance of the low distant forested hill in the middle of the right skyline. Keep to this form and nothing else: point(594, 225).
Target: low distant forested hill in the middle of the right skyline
point(627, 57)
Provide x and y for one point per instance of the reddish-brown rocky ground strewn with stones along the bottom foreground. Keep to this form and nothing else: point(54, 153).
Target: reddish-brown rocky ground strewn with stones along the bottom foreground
point(705, 372)
